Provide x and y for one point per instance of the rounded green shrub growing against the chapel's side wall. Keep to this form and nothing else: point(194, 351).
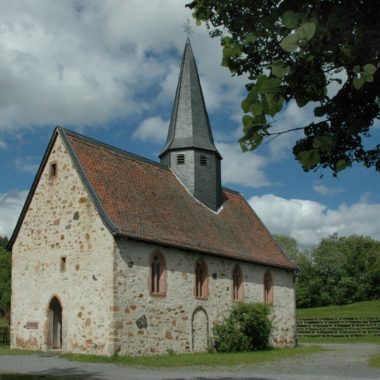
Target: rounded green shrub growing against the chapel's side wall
point(247, 328)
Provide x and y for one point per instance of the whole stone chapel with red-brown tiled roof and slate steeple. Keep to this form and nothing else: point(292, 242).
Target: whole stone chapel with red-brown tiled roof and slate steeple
point(115, 253)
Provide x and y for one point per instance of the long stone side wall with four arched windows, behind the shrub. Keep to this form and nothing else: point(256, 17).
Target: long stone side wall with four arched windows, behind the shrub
point(179, 322)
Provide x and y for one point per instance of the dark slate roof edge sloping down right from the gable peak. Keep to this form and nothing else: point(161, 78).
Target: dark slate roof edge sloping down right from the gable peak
point(98, 204)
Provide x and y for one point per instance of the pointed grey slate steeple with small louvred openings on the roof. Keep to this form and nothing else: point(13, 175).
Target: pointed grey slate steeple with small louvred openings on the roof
point(190, 150)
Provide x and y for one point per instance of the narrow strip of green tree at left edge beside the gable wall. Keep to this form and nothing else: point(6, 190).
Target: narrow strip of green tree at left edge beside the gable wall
point(5, 276)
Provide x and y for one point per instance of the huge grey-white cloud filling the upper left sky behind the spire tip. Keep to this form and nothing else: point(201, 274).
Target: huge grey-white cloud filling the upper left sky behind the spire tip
point(76, 63)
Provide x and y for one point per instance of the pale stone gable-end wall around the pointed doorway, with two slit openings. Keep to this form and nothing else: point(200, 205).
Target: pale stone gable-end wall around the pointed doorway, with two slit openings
point(62, 222)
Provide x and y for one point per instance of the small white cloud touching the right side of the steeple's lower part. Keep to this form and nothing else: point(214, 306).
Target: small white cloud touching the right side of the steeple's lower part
point(240, 168)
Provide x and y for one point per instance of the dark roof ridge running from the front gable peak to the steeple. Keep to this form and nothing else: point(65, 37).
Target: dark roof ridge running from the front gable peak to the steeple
point(115, 150)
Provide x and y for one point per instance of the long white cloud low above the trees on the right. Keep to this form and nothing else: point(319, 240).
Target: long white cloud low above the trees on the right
point(309, 221)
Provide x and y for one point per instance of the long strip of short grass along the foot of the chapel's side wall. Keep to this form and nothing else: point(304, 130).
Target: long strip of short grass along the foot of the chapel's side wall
point(199, 359)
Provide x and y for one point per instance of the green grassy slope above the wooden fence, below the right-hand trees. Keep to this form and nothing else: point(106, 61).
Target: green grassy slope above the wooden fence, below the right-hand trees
point(364, 309)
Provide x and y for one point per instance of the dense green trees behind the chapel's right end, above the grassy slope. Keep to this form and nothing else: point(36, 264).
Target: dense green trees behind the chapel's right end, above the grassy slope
point(340, 270)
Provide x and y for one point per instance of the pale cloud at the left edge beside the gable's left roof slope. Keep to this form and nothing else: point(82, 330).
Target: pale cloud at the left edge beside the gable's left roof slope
point(10, 207)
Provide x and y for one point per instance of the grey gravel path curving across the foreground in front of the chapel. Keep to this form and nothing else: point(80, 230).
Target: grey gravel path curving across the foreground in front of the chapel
point(343, 362)
